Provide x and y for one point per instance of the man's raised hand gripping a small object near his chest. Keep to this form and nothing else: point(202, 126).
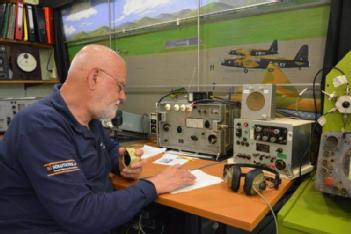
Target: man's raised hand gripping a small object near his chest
point(134, 170)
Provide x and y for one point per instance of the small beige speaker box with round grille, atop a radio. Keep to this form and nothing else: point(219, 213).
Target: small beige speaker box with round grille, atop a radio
point(258, 101)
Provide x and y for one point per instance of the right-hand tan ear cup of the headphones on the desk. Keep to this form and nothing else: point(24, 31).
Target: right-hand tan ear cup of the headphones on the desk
point(254, 179)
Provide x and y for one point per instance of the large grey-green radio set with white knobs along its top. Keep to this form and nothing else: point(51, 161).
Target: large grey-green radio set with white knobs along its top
point(203, 128)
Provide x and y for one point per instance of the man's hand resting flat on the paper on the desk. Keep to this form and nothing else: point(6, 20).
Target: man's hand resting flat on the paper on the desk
point(172, 179)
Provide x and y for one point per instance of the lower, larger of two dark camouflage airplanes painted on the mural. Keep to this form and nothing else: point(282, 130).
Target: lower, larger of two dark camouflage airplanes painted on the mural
point(262, 62)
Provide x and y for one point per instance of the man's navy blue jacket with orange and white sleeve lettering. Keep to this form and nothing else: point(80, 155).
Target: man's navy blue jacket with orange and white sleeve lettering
point(54, 175)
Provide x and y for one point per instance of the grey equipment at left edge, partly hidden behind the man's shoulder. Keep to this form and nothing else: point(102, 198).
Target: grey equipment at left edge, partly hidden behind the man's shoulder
point(9, 107)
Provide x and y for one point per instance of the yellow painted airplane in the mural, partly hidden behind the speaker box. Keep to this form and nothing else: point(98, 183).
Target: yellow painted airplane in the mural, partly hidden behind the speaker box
point(288, 96)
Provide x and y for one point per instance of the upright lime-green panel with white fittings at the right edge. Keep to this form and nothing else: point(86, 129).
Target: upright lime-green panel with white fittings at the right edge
point(334, 121)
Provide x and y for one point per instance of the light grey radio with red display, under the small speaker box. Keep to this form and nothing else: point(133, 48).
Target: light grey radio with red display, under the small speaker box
point(281, 144)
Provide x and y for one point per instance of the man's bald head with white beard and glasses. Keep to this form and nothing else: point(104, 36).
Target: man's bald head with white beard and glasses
point(94, 87)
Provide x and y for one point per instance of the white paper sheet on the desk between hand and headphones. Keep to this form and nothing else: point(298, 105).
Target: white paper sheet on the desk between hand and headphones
point(202, 180)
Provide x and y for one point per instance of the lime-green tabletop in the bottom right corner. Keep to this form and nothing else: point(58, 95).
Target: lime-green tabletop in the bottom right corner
point(310, 211)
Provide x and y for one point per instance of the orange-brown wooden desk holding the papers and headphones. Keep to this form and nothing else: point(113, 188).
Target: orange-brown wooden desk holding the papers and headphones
point(215, 202)
